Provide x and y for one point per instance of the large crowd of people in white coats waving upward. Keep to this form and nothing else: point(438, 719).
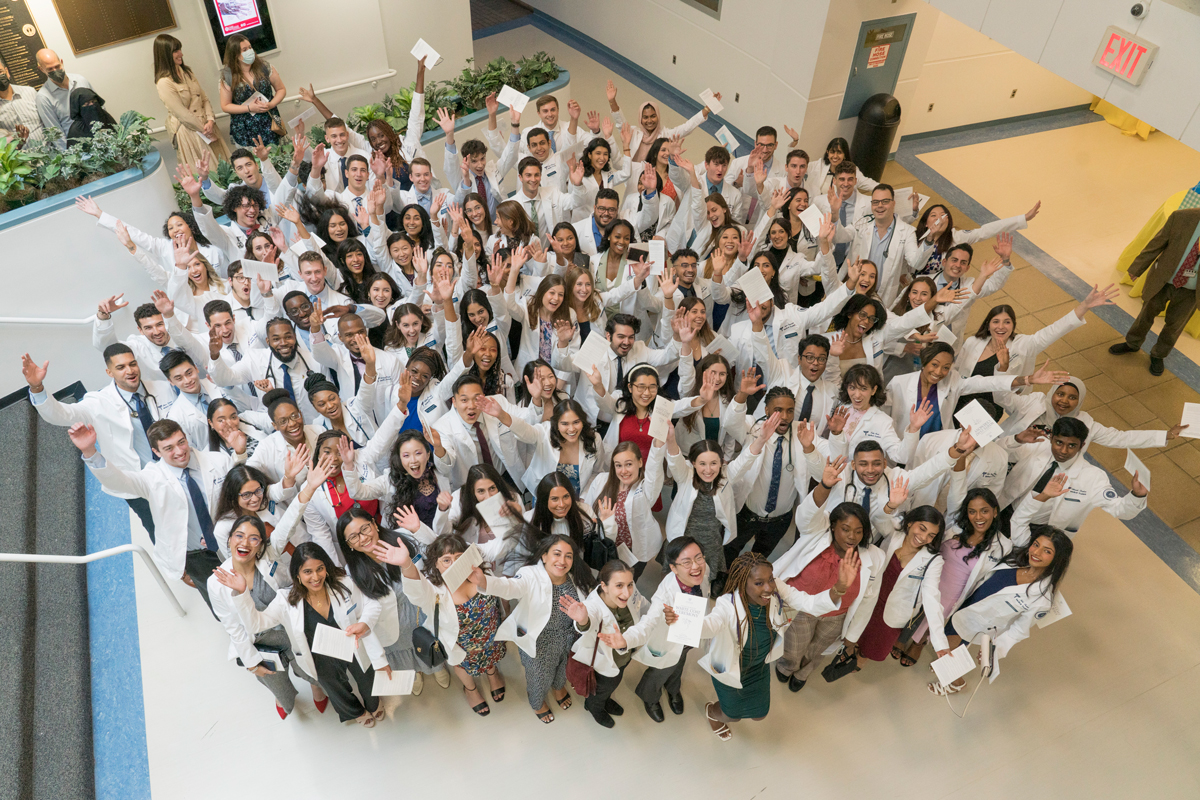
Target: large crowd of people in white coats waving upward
point(364, 376)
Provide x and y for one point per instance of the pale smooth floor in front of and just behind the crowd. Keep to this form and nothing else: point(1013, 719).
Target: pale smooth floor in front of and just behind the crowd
point(1099, 706)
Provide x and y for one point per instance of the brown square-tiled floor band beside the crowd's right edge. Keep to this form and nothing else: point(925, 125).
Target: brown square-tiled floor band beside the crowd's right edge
point(1121, 393)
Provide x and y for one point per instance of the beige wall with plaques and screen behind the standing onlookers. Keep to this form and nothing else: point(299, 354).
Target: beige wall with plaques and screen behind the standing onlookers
point(325, 44)
